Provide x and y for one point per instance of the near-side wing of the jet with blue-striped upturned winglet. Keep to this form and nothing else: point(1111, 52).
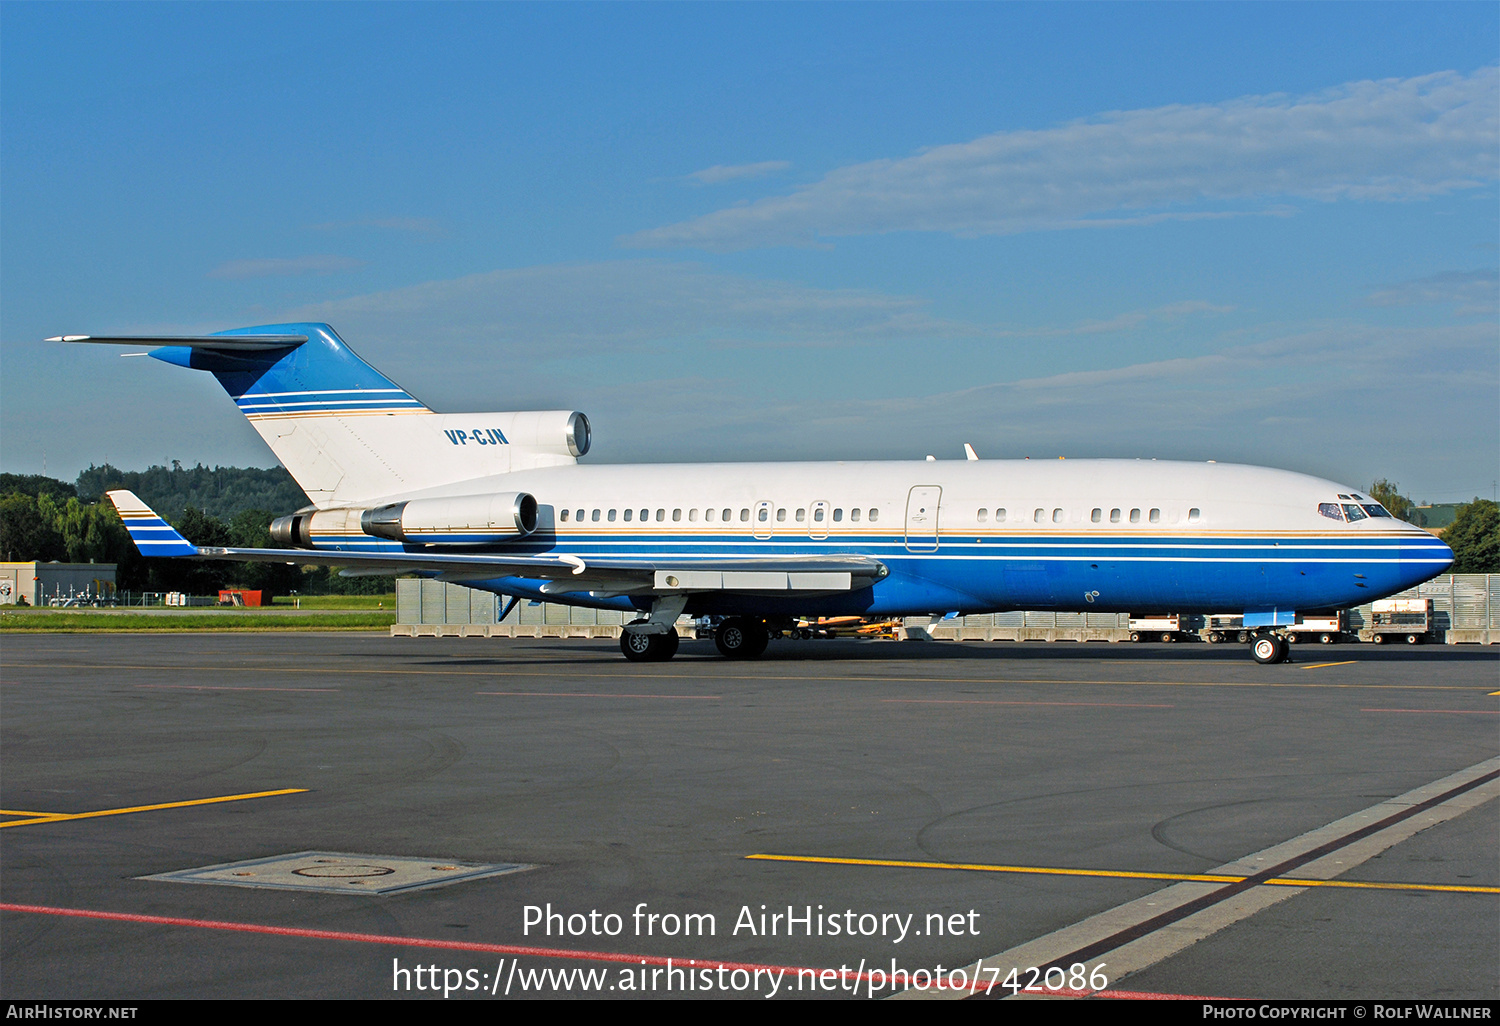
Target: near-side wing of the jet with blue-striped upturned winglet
point(565, 574)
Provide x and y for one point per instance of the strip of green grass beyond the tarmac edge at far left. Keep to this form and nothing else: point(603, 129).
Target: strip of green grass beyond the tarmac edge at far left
point(136, 620)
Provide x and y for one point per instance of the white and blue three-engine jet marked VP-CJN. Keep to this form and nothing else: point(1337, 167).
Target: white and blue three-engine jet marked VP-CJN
point(499, 502)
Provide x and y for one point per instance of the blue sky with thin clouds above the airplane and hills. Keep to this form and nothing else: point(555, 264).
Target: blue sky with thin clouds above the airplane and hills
point(1261, 233)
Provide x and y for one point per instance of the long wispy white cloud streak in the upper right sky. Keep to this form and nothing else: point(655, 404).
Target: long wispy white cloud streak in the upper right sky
point(1373, 140)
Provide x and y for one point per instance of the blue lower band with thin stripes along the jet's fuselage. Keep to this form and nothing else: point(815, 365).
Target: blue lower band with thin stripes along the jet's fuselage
point(1079, 574)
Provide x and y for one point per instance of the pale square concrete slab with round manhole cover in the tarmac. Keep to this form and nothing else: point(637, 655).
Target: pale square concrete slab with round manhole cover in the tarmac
point(341, 874)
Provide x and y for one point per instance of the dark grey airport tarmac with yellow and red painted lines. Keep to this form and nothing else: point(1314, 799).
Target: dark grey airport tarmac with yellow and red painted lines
point(1106, 802)
